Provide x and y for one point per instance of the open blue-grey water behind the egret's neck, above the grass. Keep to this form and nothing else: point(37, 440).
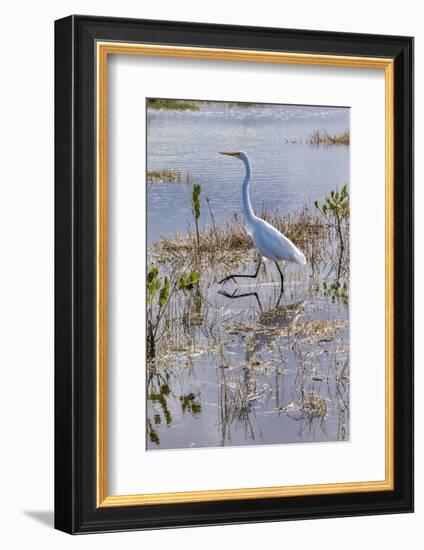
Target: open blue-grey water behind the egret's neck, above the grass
point(284, 175)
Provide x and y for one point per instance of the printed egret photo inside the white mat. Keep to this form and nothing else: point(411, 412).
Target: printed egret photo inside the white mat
point(247, 293)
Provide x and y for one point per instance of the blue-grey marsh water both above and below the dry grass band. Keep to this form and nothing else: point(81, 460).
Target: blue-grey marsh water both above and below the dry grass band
point(242, 371)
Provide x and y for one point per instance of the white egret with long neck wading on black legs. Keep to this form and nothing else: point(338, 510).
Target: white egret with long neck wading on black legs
point(271, 244)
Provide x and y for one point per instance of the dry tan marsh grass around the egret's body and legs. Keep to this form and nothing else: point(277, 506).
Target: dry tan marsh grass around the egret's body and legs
point(195, 323)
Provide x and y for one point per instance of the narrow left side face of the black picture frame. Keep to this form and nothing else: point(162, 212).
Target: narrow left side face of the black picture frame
point(64, 448)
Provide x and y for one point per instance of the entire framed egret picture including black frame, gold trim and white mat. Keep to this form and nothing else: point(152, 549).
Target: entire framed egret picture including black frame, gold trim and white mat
point(205, 261)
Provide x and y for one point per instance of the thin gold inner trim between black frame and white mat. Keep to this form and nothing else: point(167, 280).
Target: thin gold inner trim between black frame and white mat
point(104, 49)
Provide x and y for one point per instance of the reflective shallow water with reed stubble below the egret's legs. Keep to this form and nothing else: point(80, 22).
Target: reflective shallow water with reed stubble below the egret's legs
point(267, 371)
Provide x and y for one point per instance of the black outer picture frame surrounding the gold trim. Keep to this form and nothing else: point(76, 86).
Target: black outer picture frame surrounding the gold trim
point(76, 510)
